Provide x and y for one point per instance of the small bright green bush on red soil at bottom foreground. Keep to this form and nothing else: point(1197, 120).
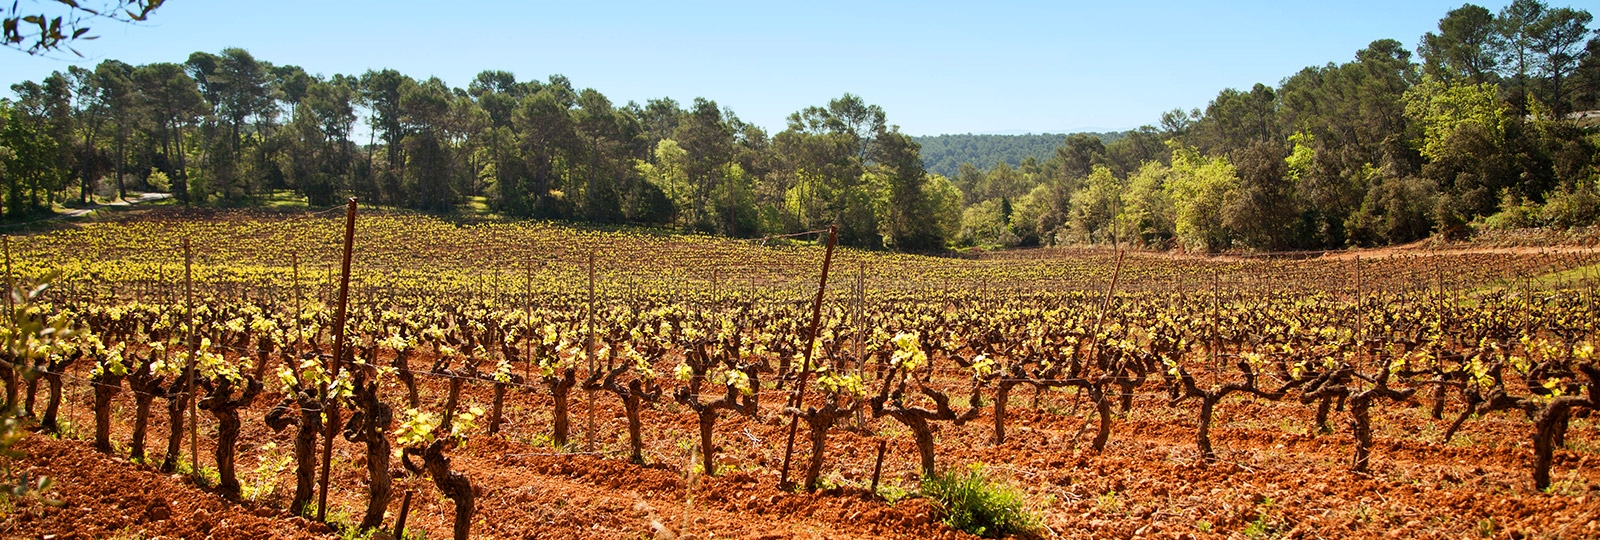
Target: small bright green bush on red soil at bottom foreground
point(980, 506)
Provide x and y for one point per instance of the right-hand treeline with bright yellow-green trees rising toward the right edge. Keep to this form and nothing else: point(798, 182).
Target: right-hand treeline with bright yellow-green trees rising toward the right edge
point(1478, 132)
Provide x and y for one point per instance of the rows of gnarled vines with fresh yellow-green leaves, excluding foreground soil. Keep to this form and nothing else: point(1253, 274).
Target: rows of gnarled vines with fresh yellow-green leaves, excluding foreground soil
point(719, 330)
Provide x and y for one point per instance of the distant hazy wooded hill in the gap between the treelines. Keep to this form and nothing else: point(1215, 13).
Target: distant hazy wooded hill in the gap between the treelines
point(945, 154)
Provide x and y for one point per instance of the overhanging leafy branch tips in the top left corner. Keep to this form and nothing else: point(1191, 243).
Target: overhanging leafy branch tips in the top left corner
point(58, 25)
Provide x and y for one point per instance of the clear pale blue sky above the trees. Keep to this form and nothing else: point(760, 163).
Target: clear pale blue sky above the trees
point(934, 66)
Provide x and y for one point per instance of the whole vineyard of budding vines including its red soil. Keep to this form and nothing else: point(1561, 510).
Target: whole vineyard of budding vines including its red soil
point(524, 379)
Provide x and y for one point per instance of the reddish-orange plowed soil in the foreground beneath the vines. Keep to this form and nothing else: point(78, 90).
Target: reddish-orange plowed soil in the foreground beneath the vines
point(1278, 477)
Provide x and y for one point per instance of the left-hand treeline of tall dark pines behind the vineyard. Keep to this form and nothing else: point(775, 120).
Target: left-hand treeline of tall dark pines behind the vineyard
point(230, 130)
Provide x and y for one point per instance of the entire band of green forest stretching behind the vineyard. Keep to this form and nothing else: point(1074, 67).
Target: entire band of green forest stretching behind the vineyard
point(1473, 130)
